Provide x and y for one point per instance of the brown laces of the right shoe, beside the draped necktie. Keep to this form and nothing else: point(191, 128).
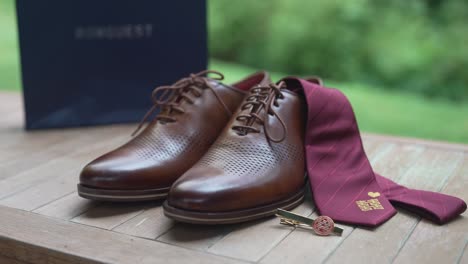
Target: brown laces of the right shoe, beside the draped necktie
point(261, 97)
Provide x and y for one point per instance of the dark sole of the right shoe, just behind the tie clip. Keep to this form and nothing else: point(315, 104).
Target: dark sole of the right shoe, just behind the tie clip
point(209, 218)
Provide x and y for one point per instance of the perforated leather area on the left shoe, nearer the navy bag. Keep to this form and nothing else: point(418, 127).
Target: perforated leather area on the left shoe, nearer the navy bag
point(159, 144)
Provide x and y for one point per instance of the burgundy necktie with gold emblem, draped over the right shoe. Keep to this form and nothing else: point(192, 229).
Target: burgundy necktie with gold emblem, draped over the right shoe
point(343, 183)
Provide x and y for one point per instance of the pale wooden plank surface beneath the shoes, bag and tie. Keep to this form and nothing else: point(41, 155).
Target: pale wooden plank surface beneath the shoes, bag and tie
point(42, 219)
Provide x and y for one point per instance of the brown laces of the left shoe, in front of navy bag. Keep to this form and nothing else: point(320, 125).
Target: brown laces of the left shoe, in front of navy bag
point(169, 97)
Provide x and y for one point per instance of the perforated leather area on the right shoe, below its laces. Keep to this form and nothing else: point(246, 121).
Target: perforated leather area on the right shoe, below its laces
point(237, 158)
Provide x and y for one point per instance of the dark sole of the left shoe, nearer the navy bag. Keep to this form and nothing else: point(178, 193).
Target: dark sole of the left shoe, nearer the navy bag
point(122, 195)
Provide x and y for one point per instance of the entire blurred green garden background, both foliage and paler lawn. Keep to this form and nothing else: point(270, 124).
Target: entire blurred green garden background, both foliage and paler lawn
point(317, 37)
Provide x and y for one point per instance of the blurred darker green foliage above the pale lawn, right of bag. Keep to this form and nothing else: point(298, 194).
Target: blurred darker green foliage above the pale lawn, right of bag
point(417, 45)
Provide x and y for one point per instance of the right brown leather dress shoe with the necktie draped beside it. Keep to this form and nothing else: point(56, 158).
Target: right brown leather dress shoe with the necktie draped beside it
point(256, 166)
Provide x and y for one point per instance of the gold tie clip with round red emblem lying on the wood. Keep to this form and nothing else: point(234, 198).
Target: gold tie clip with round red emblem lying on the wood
point(322, 226)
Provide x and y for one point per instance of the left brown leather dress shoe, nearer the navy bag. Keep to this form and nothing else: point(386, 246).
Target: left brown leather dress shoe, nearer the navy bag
point(193, 113)
